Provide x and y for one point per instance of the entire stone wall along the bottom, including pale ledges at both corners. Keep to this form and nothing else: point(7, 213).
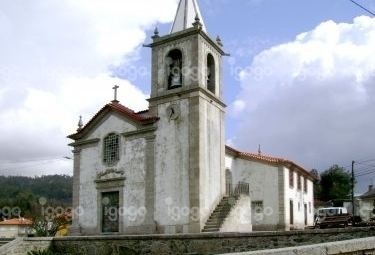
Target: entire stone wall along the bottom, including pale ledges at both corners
point(210, 243)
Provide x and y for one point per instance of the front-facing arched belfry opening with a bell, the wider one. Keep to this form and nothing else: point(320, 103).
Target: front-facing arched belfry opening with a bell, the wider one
point(174, 69)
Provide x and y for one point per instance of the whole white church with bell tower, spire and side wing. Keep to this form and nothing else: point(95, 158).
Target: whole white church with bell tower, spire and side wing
point(167, 169)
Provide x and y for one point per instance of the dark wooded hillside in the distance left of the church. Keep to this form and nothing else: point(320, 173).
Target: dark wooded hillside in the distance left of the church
point(25, 193)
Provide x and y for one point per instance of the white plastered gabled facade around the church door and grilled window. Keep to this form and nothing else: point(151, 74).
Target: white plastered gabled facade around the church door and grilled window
point(132, 163)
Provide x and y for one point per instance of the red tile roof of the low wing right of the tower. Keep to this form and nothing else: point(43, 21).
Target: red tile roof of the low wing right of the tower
point(268, 159)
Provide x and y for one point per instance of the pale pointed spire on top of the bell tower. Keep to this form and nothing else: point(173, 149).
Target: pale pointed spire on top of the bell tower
point(187, 14)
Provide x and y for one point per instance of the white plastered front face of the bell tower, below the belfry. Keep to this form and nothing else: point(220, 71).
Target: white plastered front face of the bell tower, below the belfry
point(171, 168)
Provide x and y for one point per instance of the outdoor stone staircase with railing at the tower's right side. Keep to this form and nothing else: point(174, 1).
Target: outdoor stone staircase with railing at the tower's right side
point(222, 210)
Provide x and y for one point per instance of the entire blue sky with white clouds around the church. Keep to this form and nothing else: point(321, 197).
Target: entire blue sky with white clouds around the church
point(311, 102)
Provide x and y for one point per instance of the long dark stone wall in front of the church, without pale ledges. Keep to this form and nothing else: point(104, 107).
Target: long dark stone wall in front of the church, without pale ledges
point(211, 243)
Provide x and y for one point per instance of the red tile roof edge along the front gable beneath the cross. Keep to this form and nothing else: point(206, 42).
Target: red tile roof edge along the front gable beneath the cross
point(142, 117)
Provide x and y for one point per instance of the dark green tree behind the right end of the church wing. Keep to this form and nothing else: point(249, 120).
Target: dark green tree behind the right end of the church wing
point(335, 184)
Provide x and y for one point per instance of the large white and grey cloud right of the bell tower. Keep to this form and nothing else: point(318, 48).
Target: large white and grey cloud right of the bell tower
point(314, 100)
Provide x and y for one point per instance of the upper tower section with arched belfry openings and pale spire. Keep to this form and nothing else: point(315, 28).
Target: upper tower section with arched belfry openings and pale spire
point(187, 58)
